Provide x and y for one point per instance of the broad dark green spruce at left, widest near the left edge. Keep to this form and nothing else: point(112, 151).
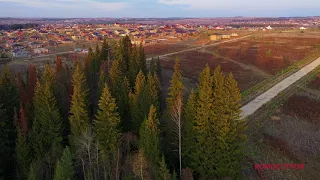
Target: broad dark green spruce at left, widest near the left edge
point(47, 127)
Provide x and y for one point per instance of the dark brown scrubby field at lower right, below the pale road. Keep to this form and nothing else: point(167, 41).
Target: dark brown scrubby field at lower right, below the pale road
point(292, 134)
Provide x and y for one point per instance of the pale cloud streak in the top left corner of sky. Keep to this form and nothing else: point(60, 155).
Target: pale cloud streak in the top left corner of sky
point(72, 4)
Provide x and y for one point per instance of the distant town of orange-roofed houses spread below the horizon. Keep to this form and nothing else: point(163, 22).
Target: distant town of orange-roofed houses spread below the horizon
point(22, 38)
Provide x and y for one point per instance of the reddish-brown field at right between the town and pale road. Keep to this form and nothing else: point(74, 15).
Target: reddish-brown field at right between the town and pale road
point(269, 53)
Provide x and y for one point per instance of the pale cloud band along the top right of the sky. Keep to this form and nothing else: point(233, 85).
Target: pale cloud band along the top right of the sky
point(256, 5)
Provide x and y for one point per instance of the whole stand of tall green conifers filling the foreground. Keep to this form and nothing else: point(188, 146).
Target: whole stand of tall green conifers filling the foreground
point(107, 118)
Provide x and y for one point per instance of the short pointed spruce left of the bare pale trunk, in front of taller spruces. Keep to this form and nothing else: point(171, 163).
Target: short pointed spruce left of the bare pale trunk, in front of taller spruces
point(150, 137)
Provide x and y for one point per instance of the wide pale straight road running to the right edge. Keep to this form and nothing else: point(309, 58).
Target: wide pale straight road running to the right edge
point(267, 96)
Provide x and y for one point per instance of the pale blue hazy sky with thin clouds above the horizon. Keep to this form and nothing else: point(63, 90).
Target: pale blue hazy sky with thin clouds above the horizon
point(158, 8)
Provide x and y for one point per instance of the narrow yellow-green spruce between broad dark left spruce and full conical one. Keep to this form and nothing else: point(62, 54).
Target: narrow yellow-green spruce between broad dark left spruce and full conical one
point(79, 119)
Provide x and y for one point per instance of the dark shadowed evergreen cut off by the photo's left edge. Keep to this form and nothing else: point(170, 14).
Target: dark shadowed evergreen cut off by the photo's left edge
point(9, 102)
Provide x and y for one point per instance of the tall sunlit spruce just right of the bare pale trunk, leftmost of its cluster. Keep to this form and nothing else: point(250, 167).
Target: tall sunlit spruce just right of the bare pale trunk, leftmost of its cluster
point(204, 160)
